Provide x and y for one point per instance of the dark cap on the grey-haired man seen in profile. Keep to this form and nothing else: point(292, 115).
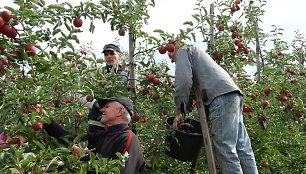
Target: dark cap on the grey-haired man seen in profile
point(126, 102)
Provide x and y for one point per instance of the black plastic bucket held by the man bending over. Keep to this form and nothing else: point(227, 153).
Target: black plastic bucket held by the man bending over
point(184, 144)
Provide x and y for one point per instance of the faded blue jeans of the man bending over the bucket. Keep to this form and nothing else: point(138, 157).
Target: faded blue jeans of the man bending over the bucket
point(233, 149)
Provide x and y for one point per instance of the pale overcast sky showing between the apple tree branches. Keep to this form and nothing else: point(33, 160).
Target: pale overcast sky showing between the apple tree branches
point(169, 16)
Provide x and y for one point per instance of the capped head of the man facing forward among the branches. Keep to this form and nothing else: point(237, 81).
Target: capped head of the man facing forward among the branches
point(112, 55)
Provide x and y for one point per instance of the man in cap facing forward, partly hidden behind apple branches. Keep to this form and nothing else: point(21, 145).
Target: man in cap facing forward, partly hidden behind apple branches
point(112, 56)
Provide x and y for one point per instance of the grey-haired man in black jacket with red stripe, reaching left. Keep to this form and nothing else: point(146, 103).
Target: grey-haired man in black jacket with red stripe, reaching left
point(116, 137)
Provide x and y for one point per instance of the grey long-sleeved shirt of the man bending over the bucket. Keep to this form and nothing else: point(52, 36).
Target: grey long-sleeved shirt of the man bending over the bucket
point(212, 78)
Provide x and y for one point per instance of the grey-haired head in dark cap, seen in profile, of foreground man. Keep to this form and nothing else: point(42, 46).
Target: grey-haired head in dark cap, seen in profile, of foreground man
point(116, 110)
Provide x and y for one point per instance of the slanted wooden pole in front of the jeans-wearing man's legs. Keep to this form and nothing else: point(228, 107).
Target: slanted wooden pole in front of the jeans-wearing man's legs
point(205, 132)
